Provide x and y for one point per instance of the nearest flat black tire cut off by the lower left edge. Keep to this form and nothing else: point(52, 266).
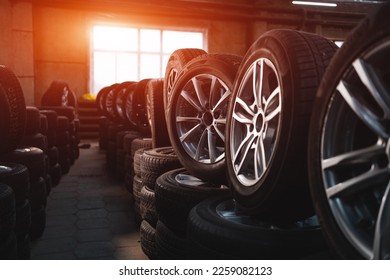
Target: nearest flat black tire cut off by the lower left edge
point(7, 211)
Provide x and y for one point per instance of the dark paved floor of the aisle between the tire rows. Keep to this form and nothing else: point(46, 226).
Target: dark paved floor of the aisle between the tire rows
point(89, 215)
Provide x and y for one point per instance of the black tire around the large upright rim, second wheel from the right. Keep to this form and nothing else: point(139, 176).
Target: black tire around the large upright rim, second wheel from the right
point(281, 192)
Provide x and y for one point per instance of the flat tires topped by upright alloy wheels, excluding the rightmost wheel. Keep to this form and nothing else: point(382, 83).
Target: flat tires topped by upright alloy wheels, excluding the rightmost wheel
point(239, 127)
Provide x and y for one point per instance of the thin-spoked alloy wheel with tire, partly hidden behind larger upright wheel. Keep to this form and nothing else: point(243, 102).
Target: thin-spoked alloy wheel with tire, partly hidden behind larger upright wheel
point(197, 114)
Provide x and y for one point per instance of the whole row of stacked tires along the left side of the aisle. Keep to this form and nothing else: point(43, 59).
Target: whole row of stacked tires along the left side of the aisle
point(29, 164)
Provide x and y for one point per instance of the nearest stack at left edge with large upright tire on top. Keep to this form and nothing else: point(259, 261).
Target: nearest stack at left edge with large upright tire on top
point(14, 178)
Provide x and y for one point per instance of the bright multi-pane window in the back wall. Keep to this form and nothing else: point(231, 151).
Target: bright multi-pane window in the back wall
point(130, 54)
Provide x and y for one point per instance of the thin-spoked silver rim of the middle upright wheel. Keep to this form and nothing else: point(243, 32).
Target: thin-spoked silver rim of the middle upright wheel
point(201, 118)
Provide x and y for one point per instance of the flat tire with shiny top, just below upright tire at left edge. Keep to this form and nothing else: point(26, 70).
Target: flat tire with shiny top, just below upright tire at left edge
point(31, 157)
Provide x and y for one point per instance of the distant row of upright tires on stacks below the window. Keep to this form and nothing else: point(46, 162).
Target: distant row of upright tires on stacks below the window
point(123, 110)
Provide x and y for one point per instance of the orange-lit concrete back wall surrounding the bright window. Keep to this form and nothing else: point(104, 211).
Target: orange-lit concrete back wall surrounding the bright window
point(47, 40)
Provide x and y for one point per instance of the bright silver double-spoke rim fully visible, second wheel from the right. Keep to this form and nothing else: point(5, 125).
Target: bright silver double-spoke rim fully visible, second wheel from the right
point(255, 123)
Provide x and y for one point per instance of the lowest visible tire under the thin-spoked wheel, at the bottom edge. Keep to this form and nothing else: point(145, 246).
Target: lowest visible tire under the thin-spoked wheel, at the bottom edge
point(169, 244)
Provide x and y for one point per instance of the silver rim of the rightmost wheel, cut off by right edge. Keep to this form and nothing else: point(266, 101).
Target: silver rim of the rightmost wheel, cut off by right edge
point(355, 152)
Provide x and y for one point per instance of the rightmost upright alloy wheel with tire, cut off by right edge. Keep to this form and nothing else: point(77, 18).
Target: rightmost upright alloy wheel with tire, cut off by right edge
point(350, 144)
